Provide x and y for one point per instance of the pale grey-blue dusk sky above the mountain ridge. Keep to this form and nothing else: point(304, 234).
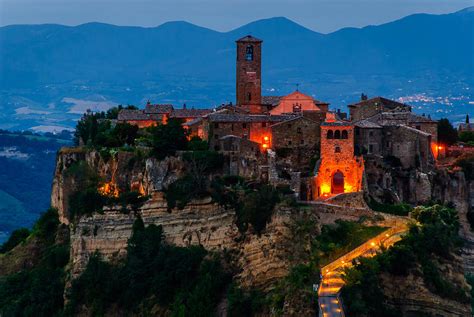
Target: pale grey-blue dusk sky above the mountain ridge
point(222, 15)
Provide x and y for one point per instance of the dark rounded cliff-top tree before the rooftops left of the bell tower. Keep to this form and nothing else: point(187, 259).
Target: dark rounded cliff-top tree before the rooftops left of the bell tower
point(168, 138)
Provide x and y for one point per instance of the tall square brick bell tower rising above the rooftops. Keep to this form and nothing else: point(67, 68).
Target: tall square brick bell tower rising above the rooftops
point(249, 74)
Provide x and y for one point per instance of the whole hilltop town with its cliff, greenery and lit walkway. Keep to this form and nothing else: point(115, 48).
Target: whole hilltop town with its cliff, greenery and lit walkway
point(269, 206)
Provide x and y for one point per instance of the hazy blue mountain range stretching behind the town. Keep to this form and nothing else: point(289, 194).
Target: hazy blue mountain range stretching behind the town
point(182, 62)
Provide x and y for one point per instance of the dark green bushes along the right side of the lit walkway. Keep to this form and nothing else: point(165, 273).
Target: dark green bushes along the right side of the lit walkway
point(434, 238)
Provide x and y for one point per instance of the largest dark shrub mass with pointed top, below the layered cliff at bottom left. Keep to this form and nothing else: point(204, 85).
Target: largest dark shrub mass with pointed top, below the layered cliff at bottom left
point(181, 279)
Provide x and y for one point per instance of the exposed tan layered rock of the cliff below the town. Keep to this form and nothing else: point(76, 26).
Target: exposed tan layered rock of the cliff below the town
point(263, 259)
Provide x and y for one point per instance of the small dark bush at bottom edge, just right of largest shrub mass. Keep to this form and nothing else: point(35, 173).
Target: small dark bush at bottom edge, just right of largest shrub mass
point(244, 302)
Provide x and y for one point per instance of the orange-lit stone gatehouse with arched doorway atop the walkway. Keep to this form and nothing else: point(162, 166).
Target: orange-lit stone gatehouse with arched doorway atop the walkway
point(338, 170)
